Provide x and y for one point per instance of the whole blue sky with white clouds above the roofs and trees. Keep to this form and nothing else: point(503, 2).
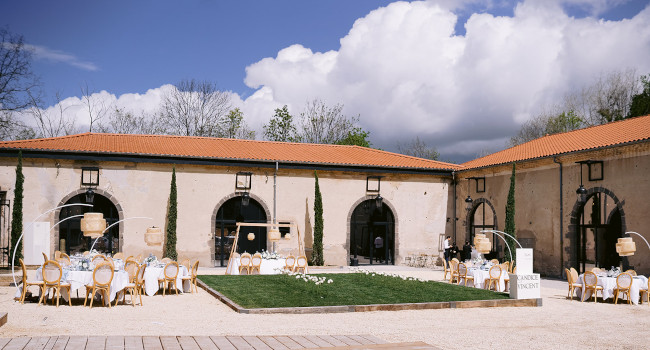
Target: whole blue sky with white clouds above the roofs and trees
point(461, 75)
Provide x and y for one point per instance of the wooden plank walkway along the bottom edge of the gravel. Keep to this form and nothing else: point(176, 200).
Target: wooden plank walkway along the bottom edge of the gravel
point(356, 342)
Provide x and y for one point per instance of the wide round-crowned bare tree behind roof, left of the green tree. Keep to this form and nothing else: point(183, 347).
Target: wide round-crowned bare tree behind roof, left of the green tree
point(194, 108)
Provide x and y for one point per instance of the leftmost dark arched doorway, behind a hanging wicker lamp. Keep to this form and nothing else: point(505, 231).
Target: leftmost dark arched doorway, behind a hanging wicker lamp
point(72, 240)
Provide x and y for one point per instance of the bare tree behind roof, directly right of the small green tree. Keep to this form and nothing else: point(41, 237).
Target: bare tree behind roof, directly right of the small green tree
point(320, 123)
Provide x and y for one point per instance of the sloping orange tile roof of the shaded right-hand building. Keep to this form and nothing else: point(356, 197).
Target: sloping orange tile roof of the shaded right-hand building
point(616, 133)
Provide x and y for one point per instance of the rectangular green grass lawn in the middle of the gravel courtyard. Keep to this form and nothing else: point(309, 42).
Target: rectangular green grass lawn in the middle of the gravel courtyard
point(267, 291)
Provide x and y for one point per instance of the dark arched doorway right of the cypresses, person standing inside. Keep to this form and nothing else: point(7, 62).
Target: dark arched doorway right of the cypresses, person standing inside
point(372, 234)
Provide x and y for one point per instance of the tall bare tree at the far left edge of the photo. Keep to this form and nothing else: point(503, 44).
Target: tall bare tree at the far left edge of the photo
point(17, 82)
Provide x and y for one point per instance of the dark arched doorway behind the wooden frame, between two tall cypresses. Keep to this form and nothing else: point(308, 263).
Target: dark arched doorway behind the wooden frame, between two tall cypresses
point(231, 212)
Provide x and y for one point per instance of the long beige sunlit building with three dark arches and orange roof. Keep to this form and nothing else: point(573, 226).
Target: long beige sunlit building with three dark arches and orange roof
point(224, 181)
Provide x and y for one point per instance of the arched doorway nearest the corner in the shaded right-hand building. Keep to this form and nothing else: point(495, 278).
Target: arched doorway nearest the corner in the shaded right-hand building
point(481, 217)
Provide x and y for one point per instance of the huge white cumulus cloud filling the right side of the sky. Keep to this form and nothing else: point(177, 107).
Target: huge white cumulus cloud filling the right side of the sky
point(407, 73)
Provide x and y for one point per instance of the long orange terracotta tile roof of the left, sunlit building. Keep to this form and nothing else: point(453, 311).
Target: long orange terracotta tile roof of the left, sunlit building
point(227, 149)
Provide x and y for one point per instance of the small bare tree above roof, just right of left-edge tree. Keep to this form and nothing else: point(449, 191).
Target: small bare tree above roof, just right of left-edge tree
point(51, 122)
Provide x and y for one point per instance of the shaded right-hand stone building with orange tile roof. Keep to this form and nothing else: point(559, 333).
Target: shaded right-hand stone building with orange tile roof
point(611, 162)
